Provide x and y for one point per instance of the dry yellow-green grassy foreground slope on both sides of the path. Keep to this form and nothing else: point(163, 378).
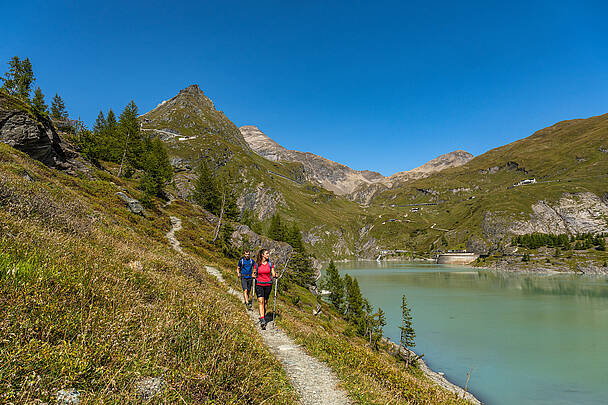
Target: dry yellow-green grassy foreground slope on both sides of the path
point(93, 298)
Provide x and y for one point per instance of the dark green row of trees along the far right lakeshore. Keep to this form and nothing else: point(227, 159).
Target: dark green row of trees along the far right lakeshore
point(563, 241)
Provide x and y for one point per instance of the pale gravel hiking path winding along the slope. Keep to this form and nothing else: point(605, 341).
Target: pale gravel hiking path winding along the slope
point(315, 382)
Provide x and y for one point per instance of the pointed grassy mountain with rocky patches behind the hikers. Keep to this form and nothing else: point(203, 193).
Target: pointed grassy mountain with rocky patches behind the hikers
point(264, 186)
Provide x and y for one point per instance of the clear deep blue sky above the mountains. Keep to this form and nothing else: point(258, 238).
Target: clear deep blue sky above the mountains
point(375, 85)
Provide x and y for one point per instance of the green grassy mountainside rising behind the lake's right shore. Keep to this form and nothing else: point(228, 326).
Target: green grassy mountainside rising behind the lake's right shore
point(568, 157)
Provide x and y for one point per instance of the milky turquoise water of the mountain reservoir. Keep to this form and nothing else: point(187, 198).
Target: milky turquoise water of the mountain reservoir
point(525, 339)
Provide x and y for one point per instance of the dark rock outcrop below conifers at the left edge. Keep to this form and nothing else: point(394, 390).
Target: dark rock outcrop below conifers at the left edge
point(33, 134)
